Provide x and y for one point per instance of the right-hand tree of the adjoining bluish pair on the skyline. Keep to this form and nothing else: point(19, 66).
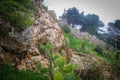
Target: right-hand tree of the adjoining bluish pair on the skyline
point(91, 23)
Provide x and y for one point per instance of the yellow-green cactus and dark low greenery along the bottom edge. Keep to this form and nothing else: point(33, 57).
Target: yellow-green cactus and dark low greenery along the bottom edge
point(57, 69)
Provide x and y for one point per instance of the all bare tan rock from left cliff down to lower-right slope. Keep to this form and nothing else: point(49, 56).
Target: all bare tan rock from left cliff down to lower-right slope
point(21, 48)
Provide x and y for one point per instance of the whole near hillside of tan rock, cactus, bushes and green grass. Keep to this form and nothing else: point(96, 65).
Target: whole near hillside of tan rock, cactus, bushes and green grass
point(31, 40)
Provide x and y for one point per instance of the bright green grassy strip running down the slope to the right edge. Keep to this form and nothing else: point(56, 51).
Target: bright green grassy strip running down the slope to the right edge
point(85, 47)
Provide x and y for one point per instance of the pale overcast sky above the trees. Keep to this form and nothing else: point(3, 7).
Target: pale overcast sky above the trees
point(108, 10)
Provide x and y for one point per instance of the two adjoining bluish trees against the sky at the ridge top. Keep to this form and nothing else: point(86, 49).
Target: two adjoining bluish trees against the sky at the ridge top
point(90, 23)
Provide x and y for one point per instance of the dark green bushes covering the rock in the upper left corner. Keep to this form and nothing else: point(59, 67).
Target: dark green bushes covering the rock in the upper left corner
point(17, 13)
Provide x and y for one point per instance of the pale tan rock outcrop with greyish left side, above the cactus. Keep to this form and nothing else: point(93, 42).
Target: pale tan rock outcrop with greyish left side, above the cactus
point(45, 29)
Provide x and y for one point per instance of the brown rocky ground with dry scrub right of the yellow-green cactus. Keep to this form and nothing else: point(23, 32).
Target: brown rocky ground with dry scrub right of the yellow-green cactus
point(93, 68)
